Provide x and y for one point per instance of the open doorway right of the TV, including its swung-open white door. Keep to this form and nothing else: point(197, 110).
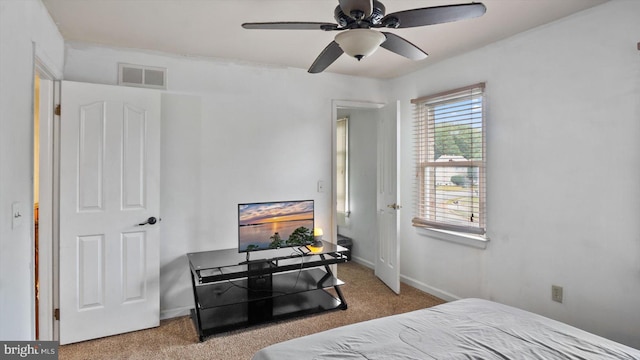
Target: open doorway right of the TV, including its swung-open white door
point(372, 220)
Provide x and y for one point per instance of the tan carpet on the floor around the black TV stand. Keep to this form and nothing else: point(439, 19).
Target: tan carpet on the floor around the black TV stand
point(367, 298)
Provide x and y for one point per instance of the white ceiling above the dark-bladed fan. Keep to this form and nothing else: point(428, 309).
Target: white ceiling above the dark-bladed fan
point(211, 28)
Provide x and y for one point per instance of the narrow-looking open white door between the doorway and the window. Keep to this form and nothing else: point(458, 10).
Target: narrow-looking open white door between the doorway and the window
point(388, 251)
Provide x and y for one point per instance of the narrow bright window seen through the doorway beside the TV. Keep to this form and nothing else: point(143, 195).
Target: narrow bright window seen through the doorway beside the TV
point(342, 167)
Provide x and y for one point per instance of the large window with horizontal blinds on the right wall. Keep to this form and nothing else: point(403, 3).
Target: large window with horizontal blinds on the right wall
point(449, 131)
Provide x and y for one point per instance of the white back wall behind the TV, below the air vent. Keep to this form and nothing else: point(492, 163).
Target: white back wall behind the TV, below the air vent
point(252, 134)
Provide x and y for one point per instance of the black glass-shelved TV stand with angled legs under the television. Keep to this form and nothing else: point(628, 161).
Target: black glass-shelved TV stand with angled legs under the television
point(230, 292)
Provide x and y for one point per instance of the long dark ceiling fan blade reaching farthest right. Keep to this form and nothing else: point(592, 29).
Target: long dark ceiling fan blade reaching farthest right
point(433, 15)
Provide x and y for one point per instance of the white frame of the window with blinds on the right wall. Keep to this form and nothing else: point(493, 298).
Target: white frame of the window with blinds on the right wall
point(425, 147)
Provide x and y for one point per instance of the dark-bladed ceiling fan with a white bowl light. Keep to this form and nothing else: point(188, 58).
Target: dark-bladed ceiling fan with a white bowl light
point(360, 17)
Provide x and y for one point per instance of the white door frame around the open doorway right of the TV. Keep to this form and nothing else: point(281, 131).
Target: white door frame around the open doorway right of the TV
point(335, 105)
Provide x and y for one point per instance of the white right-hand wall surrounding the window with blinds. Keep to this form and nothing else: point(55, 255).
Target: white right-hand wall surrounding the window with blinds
point(563, 117)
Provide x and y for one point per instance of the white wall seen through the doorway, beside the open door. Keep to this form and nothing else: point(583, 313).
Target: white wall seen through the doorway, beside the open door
point(360, 225)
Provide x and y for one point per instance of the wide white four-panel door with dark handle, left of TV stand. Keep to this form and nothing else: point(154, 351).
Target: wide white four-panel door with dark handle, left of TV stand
point(109, 184)
